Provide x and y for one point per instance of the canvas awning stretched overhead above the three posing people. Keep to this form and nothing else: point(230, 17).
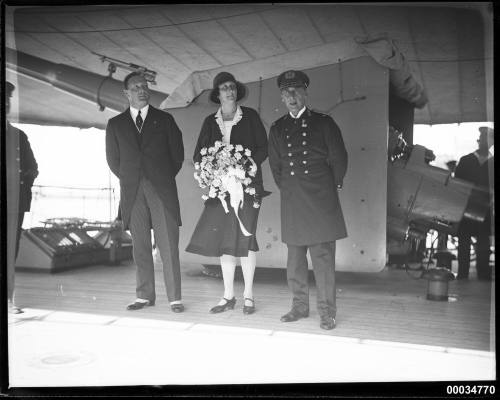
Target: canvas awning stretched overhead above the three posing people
point(186, 44)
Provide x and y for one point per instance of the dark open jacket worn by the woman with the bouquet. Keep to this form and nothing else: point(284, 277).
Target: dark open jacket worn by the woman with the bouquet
point(248, 132)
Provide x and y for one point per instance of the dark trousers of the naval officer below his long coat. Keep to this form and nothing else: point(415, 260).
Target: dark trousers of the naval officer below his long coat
point(323, 260)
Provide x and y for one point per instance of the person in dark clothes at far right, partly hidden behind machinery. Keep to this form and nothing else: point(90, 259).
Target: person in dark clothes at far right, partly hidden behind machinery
point(476, 168)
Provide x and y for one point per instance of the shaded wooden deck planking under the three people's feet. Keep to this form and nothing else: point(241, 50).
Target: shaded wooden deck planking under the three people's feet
point(388, 306)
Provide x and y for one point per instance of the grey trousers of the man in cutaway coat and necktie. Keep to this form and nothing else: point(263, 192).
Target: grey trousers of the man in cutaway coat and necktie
point(149, 212)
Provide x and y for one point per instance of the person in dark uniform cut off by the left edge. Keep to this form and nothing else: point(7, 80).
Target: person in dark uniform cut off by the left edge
point(22, 169)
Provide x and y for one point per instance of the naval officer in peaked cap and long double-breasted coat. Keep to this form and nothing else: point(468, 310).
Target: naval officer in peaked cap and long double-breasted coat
point(308, 161)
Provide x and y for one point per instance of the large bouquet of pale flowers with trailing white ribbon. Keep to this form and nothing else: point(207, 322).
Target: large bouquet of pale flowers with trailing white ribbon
point(227, 169)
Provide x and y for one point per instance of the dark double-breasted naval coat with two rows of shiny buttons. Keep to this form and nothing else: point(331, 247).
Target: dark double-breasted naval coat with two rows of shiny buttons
point(308, 160)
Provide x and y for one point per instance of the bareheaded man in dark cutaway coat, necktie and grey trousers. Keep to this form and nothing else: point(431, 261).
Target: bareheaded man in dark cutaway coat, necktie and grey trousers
point(144, 149)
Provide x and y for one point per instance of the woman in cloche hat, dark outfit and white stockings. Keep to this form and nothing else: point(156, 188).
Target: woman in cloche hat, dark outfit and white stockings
point(218, 234)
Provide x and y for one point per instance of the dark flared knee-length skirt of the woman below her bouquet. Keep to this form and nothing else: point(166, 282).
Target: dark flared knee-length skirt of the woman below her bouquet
point(218, 233)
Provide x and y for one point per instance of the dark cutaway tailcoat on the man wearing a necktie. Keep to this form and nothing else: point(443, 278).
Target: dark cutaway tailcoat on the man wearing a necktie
point(157, 153)
